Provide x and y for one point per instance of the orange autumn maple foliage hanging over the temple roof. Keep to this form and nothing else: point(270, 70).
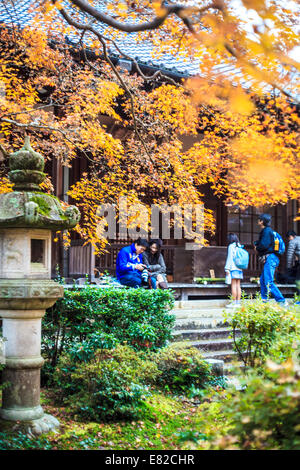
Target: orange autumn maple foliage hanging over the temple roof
point(249, 146)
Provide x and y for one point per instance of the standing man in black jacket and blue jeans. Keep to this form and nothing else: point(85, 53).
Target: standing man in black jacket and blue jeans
point(265, 249)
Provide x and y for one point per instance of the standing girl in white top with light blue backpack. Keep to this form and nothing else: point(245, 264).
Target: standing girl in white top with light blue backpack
point(233, 273)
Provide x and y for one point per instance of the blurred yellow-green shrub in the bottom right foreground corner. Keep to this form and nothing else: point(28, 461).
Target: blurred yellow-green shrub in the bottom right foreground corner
point(266, 415)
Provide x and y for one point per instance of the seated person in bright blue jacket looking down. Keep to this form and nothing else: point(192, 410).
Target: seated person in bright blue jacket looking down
point(130, 269)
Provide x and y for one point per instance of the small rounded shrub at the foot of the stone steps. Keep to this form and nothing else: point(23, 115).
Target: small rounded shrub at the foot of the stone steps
point(182, 368)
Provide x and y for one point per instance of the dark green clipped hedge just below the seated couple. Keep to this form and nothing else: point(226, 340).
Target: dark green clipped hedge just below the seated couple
point(138, 317)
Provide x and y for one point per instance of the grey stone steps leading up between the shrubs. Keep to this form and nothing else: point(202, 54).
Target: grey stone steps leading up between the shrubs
point(201, 323)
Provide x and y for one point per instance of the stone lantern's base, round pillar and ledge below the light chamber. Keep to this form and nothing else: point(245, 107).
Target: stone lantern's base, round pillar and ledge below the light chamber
point(22, 306)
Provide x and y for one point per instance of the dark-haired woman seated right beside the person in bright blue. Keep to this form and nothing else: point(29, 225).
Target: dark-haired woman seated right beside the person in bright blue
point(155, 263)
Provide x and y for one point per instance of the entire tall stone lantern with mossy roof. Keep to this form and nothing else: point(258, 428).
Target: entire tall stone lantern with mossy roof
point(27, 217)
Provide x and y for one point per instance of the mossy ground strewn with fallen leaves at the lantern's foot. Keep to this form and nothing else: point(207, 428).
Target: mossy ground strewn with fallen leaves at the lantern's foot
point(164, 423)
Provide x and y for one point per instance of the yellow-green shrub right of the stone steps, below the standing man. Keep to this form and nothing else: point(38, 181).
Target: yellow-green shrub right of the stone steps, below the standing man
point(257, 326)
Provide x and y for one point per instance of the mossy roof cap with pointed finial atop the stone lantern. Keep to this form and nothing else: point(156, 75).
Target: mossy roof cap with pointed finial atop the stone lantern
point(27, 206)
